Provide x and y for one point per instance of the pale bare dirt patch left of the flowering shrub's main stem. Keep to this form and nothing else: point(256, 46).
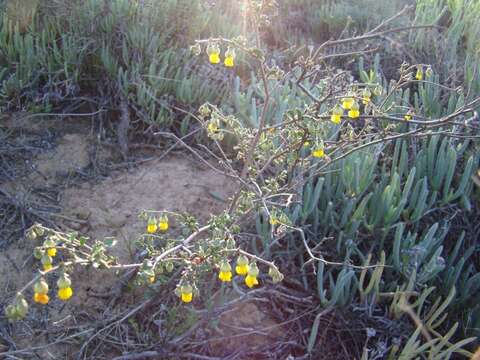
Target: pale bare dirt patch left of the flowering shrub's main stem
point(110, 208)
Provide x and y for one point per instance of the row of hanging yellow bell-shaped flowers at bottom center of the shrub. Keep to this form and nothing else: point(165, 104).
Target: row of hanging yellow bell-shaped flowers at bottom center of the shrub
point(243, 268)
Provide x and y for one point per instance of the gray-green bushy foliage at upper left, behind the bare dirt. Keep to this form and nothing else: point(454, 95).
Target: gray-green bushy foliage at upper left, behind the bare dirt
point(136, 53)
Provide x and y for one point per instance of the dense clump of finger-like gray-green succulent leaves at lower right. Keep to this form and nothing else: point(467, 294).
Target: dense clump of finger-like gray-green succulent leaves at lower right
point(383, 206)
